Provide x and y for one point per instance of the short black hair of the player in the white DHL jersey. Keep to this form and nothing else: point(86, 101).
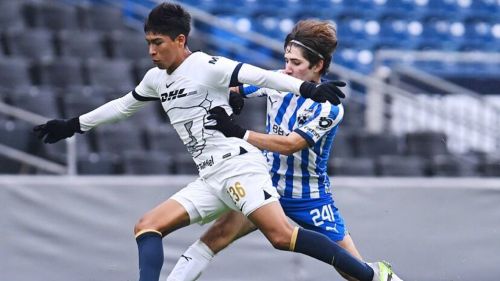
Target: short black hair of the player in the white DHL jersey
point(168, 19)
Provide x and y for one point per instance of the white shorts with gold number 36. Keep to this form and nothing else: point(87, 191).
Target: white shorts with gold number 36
point(241, 183)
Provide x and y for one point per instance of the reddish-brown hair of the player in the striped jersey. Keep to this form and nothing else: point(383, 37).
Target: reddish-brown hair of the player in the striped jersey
point(316, 39)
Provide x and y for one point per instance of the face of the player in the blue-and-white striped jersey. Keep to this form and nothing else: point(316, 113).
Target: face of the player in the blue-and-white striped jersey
point(298, 66)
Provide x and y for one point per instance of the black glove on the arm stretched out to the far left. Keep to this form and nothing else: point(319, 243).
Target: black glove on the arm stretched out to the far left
point(57, 129)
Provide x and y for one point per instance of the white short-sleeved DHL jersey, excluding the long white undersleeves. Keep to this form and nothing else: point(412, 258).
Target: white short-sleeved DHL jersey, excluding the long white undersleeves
point(200, 83)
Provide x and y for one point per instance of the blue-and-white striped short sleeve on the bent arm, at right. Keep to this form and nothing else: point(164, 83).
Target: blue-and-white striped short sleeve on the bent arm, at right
point(325, 117)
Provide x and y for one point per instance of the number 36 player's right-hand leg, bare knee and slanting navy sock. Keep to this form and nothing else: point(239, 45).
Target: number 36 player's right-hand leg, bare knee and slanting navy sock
point(271, 220)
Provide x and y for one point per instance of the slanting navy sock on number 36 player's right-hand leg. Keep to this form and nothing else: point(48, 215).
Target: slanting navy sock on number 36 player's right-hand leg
point(320, 247)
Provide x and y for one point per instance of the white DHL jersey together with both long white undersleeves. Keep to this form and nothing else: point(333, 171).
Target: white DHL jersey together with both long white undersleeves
point(200, 83)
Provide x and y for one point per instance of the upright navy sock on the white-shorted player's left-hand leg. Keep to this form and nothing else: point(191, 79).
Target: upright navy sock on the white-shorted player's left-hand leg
point(149, 243)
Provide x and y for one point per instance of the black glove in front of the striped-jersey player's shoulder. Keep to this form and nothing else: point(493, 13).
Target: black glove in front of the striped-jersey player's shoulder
point(326, 91)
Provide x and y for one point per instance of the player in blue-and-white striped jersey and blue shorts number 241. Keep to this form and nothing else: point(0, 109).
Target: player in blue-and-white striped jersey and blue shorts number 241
point(300, 134)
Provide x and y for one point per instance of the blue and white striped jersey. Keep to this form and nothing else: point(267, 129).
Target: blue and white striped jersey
point(304, 173)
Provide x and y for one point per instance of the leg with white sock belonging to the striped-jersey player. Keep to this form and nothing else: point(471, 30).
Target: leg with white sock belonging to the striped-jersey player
point(196, 258)
